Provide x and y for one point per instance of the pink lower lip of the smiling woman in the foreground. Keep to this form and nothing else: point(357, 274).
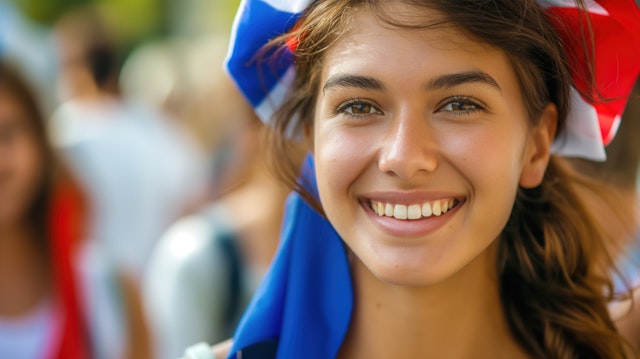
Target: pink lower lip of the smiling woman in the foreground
point(410, 228)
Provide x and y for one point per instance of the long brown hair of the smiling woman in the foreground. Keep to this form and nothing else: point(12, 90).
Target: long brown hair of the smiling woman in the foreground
point(550, 266)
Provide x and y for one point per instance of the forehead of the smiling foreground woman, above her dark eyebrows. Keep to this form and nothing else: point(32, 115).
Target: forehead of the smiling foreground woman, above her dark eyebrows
point(372, 44)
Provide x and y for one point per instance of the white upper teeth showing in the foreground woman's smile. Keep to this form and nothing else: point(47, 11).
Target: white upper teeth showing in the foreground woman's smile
point(413, 211)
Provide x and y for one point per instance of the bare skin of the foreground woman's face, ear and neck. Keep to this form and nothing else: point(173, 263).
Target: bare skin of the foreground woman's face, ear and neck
point(407, 134)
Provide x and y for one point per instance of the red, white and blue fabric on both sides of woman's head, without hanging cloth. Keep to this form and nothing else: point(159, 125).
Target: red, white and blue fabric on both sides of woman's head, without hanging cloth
point(616, 35)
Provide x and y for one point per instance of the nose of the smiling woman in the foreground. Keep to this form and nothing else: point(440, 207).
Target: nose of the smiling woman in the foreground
point(409, 148)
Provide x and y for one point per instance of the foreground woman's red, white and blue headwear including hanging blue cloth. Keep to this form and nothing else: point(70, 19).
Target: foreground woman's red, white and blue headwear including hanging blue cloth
point(306, 298)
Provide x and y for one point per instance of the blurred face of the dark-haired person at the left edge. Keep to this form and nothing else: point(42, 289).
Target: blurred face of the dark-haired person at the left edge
point(20, 161)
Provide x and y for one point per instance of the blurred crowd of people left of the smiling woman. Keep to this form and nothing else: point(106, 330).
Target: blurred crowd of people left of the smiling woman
point(137, 210)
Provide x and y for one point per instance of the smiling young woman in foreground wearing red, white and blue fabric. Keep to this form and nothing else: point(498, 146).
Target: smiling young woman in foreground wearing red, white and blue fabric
point(457, 233)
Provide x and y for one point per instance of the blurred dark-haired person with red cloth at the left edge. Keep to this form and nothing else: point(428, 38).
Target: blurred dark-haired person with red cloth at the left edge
point(41, 312)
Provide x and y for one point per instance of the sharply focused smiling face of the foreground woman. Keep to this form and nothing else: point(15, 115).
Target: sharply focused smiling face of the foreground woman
point(420, 143)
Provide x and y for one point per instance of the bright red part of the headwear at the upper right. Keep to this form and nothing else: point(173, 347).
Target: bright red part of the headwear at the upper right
point(617, 59)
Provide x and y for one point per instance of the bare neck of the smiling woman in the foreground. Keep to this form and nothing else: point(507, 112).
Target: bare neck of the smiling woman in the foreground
point(461, 317)
